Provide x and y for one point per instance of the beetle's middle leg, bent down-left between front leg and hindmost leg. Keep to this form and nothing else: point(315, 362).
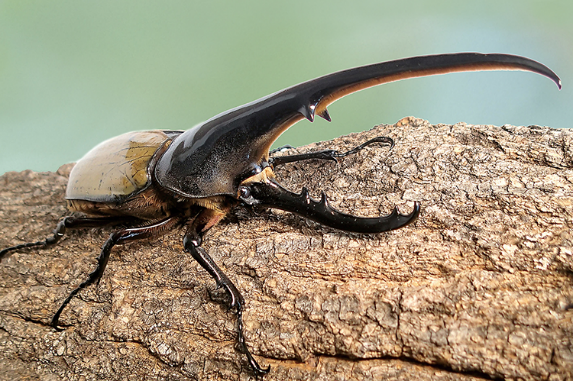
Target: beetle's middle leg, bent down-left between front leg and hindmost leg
point(116, 238)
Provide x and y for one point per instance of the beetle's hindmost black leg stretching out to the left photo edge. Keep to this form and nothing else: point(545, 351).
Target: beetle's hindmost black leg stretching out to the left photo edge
point(66, 223)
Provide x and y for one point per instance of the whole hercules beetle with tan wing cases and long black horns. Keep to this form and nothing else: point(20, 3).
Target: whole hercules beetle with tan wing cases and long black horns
point(160, 180)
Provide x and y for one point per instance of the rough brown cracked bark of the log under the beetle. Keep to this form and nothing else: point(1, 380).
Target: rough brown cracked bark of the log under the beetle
point(480, 287)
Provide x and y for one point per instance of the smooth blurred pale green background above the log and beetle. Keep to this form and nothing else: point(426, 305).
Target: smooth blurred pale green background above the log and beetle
point(73, 73)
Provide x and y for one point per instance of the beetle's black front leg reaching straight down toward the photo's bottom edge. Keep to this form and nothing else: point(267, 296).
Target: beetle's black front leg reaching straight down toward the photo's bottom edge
point(192, 243)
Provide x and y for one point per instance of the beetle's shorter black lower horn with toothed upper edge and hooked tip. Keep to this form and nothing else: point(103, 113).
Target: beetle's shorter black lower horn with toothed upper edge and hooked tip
point(272, 194)
